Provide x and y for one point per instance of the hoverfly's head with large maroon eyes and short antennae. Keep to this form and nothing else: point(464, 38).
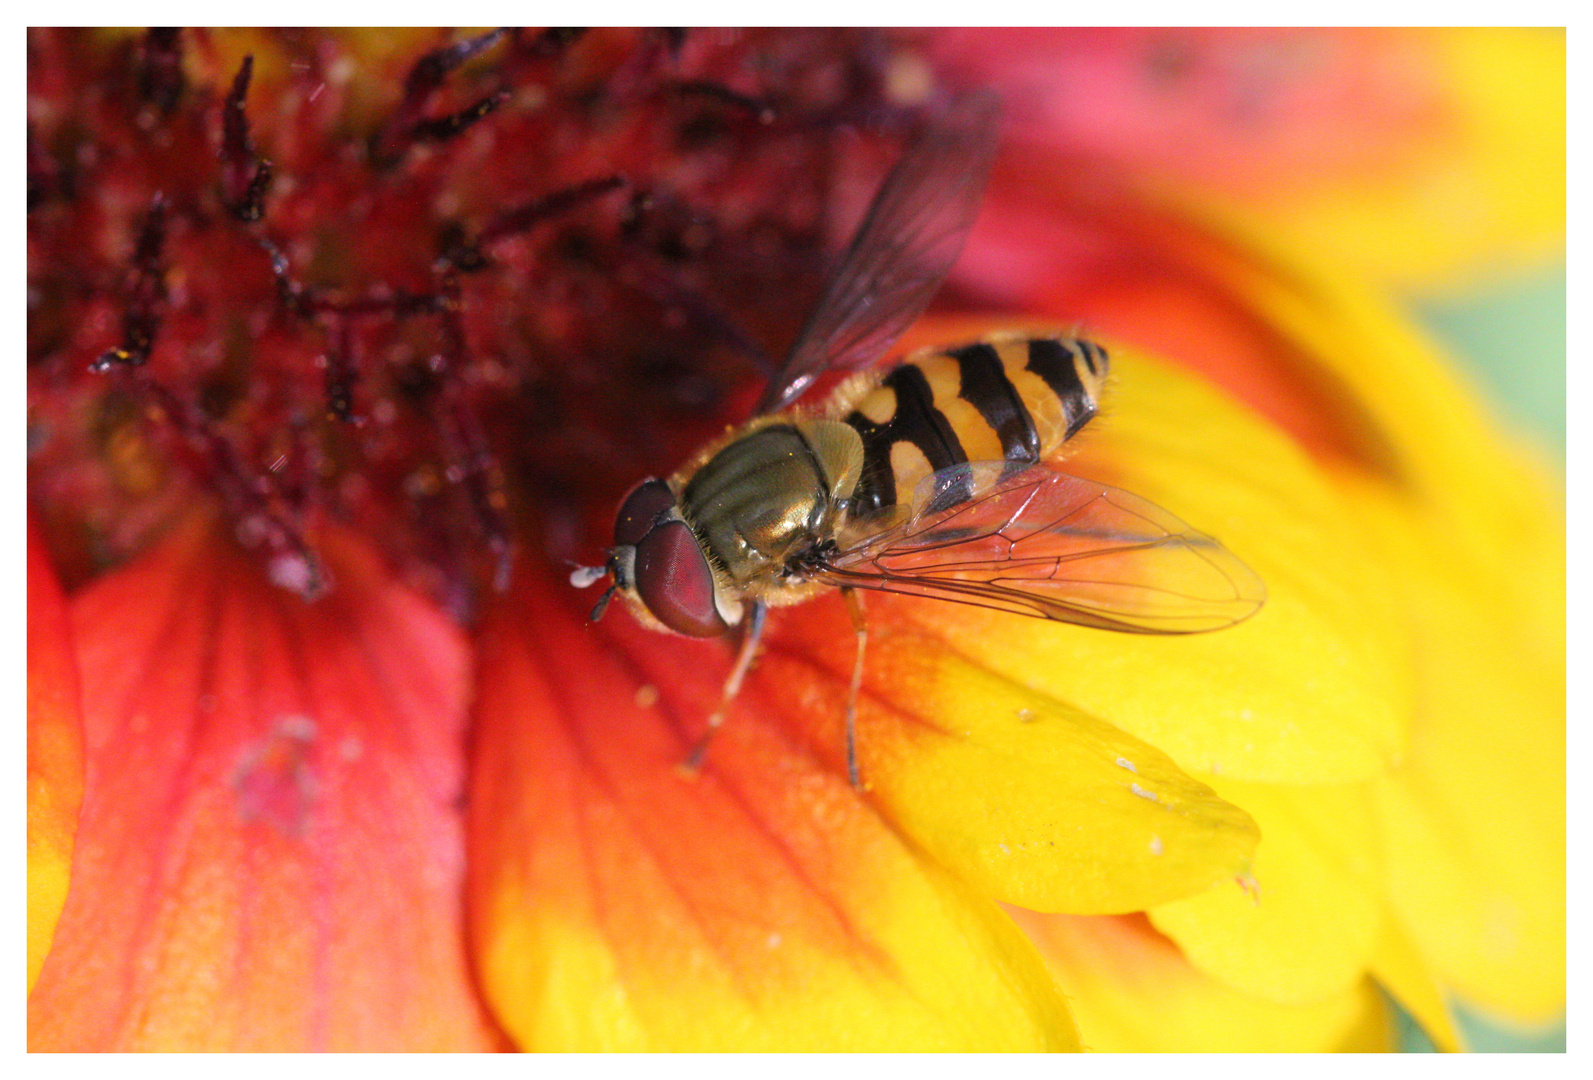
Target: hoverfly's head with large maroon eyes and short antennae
point(660, 566)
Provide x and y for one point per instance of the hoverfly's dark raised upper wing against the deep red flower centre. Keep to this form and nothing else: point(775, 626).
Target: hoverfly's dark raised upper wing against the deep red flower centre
point(902, 251)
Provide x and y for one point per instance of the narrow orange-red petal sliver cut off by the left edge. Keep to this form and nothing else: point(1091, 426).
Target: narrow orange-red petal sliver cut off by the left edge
point(55, 753)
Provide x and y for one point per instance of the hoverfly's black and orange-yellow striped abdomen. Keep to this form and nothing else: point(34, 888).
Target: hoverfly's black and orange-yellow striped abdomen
point(1003, 399)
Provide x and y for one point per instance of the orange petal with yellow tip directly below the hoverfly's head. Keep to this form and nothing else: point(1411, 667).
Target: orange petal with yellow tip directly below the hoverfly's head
point(619, 904)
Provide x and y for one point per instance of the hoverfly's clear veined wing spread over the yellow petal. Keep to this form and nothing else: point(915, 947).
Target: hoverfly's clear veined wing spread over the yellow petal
point(1044, 544)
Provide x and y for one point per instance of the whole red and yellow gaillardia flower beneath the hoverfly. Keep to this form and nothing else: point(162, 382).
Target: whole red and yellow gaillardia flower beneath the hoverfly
point(343, 350)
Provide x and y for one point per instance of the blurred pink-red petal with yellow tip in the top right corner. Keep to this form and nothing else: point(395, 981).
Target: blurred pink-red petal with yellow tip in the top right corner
point(1412, 157)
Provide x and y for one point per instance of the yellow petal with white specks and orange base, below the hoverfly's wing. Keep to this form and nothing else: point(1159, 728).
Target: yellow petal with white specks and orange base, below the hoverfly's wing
point(1025, 796)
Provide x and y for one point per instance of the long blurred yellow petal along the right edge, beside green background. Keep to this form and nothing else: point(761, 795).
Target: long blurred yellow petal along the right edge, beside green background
point(1471, 533)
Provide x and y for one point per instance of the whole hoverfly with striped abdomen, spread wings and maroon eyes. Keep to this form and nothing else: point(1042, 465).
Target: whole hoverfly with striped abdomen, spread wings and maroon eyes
point(926, 479)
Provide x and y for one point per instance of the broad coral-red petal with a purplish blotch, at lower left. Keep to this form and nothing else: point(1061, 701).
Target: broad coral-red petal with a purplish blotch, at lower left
point(270, 853)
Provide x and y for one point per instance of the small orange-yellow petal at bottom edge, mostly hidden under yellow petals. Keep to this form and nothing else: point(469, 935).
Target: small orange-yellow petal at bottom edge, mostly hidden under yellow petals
point(1135, 993)
